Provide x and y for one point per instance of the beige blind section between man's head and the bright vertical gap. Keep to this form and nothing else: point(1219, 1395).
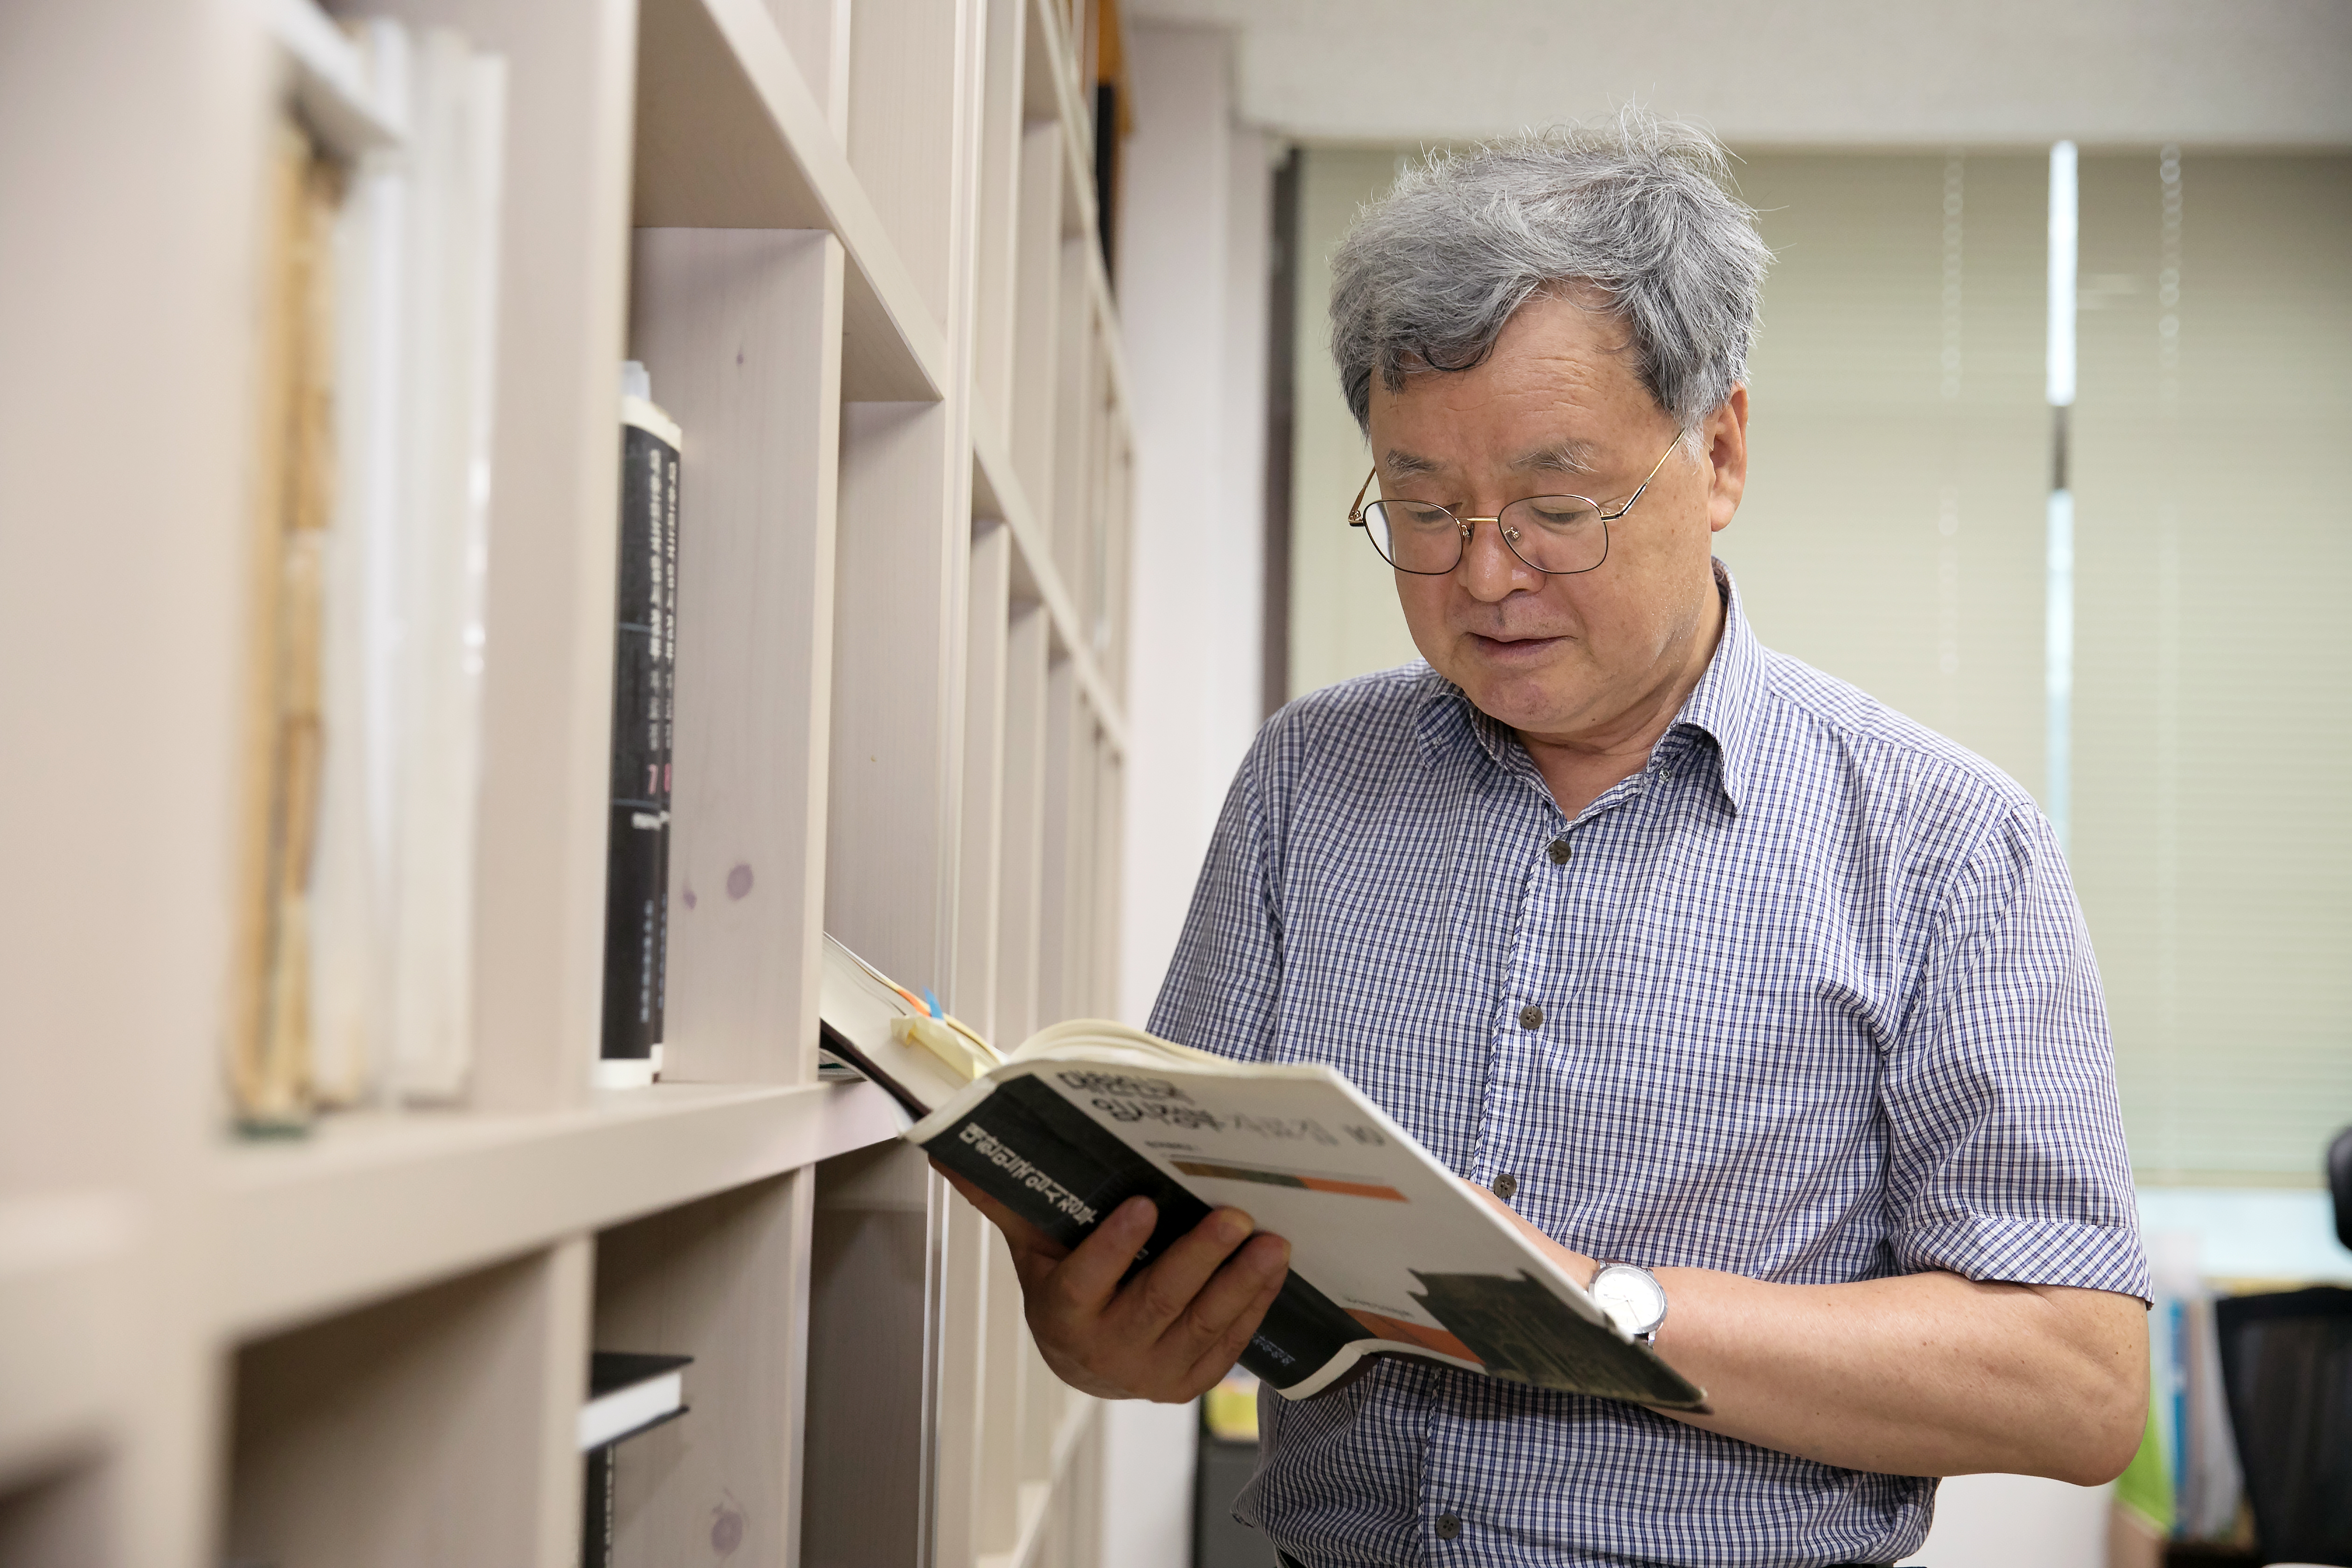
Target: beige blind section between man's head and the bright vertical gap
point(1899, 443)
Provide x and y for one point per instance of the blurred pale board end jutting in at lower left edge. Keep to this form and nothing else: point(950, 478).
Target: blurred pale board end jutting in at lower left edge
point(65, 1318)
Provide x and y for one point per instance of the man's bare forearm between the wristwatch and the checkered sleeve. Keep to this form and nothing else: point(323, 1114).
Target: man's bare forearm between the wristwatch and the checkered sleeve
point(1925, 1374)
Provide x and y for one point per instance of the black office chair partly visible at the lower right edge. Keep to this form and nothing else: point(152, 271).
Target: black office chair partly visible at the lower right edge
point(2287, 1365)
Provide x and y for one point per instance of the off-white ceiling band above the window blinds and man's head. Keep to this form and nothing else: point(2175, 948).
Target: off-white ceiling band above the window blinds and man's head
point(1796, 72)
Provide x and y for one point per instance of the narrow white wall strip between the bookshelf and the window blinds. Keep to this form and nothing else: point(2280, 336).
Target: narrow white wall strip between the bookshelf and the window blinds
point(1191, 279)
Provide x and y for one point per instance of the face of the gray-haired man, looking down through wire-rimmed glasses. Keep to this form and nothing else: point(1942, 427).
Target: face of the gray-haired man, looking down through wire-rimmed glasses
point(1558, 410)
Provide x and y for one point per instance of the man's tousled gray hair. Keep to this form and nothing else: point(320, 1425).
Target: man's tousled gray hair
point(1638, 210)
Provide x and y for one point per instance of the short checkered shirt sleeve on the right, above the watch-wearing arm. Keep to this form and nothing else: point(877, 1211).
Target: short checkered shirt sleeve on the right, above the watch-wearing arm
point(2005, 1137)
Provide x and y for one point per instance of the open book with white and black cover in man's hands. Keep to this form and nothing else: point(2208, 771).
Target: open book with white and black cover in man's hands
point(1391, 1254)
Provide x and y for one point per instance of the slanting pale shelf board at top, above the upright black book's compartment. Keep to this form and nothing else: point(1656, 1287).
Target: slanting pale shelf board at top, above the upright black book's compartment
point(733, 138)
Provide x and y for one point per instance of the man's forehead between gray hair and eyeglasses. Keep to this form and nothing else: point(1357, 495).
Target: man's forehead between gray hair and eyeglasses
point(1558, 370)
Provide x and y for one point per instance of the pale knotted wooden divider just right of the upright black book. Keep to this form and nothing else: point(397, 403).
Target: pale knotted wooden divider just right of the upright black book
point(742, 333)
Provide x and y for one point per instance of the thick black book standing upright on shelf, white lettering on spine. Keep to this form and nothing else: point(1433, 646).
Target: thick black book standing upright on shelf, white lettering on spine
point(643, 688)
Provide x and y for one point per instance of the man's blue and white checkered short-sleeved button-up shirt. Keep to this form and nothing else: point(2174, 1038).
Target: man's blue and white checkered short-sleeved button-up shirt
point(1817, 1005)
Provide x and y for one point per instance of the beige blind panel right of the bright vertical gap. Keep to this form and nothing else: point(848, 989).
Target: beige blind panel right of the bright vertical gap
point(2212, 744)
